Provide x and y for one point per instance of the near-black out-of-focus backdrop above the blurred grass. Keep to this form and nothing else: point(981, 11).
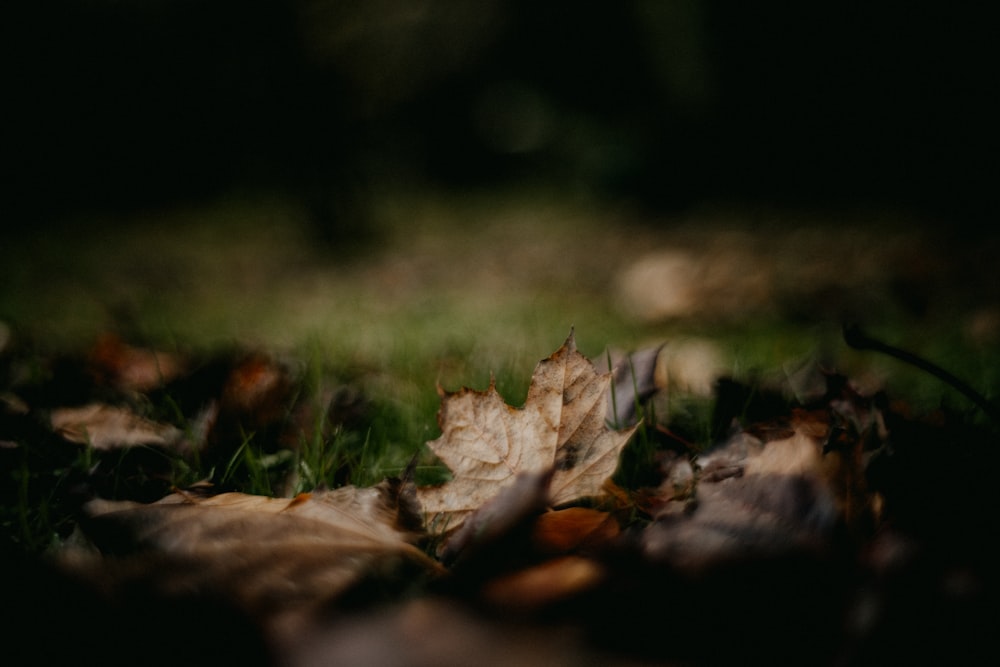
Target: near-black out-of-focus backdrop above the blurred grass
point(118, 106)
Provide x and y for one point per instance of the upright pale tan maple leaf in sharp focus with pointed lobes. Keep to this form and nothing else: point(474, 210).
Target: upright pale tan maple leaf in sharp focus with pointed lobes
point(486, 443)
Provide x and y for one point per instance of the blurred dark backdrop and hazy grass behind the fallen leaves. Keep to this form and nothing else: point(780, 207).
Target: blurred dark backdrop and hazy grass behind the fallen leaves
point(446, 180)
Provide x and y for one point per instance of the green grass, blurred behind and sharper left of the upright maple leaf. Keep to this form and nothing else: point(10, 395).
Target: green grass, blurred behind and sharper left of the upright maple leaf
point(457, 290)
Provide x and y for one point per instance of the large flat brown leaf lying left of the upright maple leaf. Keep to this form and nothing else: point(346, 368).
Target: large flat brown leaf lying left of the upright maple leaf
point(275, 558)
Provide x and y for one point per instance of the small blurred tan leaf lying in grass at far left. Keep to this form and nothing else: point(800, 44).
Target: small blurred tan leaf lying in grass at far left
point(108, 426)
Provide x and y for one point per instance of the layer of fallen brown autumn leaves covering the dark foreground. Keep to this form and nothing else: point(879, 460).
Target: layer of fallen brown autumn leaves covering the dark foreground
point(832, 527)
